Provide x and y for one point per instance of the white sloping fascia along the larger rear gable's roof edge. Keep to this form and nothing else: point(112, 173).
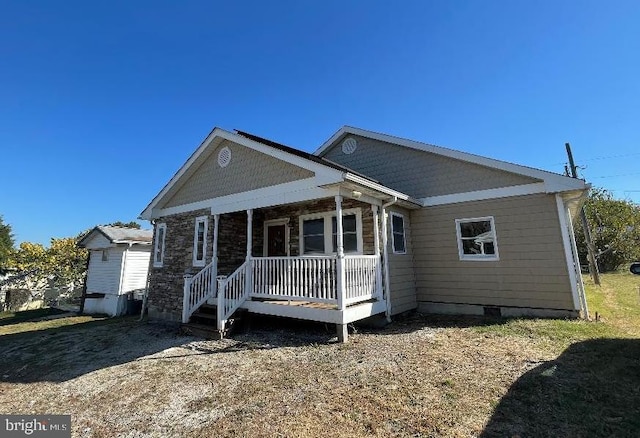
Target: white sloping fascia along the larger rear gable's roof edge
point(562, 182)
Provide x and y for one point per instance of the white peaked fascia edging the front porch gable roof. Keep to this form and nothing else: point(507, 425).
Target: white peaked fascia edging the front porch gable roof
point(320, 170)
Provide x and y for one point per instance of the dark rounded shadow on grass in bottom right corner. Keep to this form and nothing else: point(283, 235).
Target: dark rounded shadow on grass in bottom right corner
point(591, 390)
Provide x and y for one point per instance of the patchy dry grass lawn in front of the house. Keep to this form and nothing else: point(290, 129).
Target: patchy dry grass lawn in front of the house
point(421, 376)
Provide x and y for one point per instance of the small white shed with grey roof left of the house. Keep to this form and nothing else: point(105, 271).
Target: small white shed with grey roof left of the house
point(118, 267)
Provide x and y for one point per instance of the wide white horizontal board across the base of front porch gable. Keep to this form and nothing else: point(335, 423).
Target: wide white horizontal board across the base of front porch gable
point(294, 191)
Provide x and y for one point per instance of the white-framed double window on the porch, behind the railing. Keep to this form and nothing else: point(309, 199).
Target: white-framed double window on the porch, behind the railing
point(318, 232)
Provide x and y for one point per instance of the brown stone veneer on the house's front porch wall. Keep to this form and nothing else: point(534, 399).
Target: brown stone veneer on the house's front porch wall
point(166, 283)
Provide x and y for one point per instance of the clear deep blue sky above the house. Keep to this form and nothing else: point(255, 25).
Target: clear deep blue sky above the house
point(101, 102)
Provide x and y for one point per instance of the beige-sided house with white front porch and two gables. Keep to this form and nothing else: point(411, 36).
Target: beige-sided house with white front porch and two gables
point(369, 224)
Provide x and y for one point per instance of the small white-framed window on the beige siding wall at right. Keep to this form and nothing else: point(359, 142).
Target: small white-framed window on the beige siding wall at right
point(477, 239)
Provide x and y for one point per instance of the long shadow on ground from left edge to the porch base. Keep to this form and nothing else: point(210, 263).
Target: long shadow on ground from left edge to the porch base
point(64, 353)
